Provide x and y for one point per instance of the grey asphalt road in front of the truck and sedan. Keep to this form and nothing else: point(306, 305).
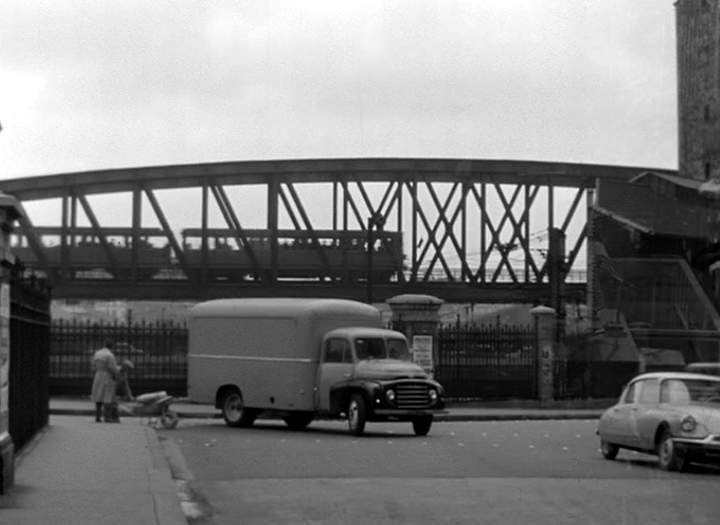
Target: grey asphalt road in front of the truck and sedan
point(476, 472)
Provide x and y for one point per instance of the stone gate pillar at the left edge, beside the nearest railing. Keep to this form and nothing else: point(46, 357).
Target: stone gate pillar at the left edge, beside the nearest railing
point(9, 213)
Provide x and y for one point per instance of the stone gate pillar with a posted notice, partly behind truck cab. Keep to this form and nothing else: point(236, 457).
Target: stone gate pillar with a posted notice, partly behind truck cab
point(418, 317)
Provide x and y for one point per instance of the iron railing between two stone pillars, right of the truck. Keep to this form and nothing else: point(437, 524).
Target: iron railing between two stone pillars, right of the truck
point(487, 362)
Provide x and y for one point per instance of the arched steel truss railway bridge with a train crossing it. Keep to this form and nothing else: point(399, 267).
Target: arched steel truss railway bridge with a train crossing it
point(465, 230)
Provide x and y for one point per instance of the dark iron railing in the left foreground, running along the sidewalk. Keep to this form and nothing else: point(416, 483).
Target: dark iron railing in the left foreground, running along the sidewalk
point(28, 396)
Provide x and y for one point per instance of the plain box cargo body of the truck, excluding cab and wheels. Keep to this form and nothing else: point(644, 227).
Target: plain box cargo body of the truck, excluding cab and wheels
point(270, 347)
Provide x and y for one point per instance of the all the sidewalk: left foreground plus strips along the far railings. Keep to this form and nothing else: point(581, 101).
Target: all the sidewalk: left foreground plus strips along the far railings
point(76, 471)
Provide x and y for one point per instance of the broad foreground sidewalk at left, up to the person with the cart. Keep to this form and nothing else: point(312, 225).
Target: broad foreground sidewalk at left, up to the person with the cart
point(80, 472)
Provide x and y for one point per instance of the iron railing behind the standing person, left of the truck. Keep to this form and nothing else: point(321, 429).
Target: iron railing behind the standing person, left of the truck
point(158, 352)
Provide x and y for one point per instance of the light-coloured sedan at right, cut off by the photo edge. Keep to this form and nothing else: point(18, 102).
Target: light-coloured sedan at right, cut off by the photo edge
point(675, 415)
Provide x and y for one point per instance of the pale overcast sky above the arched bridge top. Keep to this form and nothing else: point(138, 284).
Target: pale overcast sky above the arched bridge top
point(105, 84)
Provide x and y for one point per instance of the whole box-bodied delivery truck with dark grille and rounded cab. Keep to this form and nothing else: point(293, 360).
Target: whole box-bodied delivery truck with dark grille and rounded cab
point(303, 358)
